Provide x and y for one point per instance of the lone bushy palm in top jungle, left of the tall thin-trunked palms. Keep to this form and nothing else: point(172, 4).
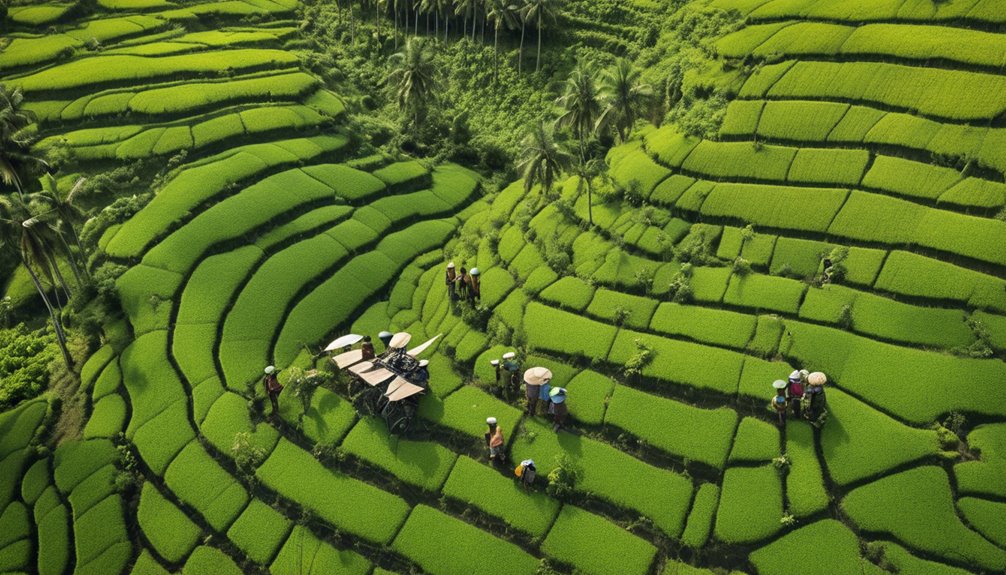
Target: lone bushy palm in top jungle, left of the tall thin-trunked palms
point(413, 78)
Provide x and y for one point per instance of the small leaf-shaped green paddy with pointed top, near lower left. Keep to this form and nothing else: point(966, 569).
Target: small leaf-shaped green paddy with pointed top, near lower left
point(173, 534)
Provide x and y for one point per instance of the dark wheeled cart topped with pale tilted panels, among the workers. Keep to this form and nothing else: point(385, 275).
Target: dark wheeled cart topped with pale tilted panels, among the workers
point(389, 386)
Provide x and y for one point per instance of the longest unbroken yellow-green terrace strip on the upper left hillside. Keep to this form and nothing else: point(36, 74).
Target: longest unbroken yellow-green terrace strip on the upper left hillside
point(111, 69)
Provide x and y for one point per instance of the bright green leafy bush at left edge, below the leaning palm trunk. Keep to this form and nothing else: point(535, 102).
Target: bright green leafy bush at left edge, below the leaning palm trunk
point(25, 364)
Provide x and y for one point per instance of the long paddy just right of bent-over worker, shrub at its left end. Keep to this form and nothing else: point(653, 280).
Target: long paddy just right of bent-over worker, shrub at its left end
point(610, 474)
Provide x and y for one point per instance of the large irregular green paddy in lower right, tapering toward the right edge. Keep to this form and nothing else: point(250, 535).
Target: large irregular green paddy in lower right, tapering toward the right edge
point(909, 504)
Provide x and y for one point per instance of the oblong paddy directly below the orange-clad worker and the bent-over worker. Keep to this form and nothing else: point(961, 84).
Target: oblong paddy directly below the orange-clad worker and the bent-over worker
point(498, 495)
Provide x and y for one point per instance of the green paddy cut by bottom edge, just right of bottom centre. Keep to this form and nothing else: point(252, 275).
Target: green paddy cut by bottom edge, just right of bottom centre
point(596, 546)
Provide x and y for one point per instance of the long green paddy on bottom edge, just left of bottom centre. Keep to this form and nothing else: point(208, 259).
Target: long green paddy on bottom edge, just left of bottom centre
point(457, 543)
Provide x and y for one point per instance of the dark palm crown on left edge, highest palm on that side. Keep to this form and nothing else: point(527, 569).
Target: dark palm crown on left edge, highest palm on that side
point(18, 162)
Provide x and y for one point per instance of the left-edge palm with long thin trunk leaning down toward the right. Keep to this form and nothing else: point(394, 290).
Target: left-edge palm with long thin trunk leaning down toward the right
point(20, 231)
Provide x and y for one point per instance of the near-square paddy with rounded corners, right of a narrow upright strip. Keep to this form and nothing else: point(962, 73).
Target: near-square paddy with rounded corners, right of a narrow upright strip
point(751, 505)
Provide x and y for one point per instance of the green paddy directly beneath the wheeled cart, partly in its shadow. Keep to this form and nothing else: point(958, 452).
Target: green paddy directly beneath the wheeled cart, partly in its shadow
point(422, 464)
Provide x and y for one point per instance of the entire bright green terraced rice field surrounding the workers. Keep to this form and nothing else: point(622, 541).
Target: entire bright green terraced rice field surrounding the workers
point(863, 135)
